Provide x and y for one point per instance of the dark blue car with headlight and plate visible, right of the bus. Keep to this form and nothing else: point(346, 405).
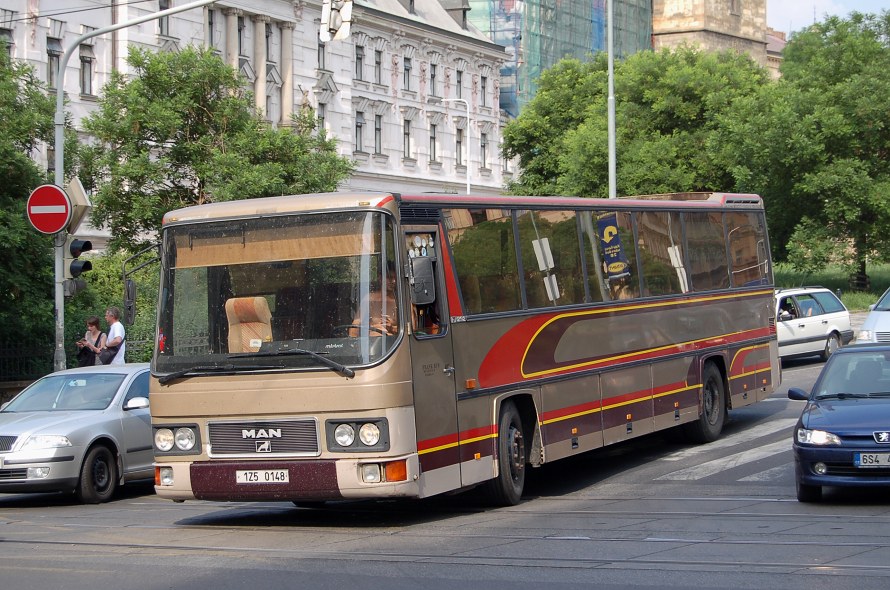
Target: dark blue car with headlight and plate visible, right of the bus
point(843, 435)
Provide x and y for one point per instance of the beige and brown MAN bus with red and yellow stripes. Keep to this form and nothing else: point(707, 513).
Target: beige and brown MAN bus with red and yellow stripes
point(314, 348)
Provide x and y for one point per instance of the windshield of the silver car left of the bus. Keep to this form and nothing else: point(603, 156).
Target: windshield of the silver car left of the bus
point(62, 393)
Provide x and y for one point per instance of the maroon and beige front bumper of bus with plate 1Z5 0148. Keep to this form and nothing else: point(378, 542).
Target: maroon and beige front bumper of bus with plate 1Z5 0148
point(289, 480)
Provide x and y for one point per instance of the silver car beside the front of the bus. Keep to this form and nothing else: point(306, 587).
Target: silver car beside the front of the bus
point(84, 430)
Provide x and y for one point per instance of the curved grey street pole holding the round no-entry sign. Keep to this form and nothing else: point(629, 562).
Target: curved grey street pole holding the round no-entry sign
point(59, 354)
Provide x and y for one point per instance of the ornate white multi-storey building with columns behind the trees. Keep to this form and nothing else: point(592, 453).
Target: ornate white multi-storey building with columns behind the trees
point(395, 93)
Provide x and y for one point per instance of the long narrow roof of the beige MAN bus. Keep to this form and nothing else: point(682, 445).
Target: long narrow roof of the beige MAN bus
point(340, 201)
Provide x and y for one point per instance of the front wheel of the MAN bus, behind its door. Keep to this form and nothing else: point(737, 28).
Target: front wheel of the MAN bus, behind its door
point(506, 488)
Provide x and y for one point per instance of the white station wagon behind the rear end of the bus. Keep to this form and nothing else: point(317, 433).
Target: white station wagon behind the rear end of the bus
point(811, 321)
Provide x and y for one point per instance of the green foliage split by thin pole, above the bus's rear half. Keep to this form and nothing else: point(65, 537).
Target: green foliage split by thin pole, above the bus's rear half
point(667, 106)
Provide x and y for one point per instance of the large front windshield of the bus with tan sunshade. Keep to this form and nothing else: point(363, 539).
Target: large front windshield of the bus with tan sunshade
point(312, 291)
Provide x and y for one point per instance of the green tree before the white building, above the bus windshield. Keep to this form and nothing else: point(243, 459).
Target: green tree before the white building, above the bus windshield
point(182, 131)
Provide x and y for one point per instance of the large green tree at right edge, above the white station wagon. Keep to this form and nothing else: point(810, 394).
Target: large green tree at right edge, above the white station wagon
point(817, 146)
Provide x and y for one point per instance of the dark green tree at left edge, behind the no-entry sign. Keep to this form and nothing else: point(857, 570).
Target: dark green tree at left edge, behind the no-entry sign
point(26, 260)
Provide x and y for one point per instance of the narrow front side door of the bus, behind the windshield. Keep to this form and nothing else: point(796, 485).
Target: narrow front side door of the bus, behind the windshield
point(432, 360)
